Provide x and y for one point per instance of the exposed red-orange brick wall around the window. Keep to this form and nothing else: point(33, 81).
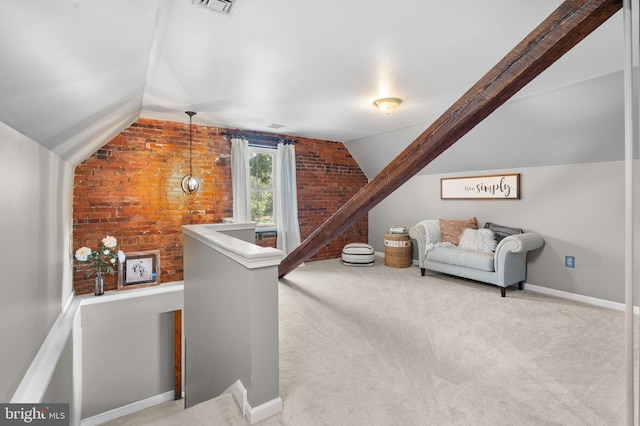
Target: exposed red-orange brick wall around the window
point(130, 189)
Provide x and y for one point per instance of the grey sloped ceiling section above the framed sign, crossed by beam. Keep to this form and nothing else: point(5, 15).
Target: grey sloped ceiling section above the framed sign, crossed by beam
point(574, 124)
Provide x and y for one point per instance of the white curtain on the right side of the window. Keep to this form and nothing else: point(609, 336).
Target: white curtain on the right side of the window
point(286, 199)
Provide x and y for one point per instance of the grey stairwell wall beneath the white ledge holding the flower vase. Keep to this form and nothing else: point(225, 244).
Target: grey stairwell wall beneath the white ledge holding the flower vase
point(127, 357)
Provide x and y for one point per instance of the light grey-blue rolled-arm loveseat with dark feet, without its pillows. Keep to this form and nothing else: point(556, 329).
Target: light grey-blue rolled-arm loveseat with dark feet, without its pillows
point(504, 267)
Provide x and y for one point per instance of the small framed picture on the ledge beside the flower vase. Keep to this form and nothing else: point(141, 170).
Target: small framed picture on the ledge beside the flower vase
point(140, 269)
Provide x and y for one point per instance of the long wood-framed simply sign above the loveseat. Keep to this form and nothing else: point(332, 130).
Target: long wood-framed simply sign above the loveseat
point(492, 187)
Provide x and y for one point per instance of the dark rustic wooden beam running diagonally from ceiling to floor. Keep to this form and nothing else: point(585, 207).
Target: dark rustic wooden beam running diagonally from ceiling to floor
point(570, 23)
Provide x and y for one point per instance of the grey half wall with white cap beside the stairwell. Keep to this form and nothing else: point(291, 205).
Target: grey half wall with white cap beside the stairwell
point(231, 314)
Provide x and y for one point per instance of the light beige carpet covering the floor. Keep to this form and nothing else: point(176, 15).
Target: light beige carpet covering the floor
point(385, 346)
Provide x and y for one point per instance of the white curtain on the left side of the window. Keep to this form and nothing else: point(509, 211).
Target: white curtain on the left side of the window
point(240, 179)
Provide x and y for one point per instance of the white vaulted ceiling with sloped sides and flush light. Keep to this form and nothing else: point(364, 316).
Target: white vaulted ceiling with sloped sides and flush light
point(77, 72)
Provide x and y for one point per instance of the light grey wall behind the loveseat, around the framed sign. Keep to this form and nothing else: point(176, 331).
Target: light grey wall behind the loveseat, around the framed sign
point(578, 209)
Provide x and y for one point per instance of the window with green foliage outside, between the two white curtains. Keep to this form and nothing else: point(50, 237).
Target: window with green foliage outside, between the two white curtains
point(262, 186)
